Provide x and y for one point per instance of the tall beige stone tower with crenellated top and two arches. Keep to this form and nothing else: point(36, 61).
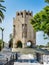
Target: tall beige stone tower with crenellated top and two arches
point(22, 29)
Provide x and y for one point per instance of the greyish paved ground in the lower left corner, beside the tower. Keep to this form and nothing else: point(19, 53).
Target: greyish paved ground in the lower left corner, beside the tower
point(5, 55)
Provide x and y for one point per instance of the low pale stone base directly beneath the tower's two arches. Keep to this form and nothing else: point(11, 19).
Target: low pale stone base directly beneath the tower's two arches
point(24, 50)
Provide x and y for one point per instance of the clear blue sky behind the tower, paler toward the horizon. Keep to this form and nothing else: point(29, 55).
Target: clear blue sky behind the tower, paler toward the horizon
point(17, 5)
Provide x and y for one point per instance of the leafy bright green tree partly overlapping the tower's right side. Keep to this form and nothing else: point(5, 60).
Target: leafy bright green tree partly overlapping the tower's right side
point(41, 21)
